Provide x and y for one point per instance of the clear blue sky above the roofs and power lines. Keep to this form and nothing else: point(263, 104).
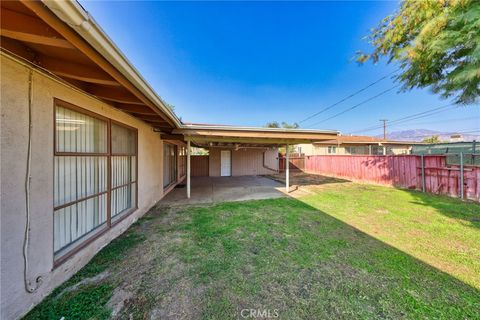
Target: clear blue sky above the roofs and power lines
point(247, 63)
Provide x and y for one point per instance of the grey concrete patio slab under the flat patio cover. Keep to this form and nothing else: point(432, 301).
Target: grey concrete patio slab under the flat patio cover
point(221, 189)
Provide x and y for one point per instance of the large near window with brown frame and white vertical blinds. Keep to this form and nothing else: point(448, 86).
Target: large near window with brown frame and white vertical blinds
point(94, 177)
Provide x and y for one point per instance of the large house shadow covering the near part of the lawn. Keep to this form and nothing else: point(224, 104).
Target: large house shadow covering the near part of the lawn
point(280, 254)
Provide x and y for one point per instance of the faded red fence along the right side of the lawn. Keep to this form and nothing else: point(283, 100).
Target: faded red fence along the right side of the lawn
point(401, 170)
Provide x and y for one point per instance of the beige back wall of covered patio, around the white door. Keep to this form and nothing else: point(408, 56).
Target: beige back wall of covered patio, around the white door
point(245, 162)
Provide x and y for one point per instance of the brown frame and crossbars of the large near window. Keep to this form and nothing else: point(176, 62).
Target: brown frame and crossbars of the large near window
point(89, 237)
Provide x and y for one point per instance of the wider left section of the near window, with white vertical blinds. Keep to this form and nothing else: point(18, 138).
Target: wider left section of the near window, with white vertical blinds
point(80, 176)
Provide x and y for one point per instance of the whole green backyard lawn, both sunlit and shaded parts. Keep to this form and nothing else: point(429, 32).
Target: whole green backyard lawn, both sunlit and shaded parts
point(343, 251)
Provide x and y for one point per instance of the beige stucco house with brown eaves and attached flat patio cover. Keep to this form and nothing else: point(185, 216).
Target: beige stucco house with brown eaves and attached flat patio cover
point(88, 147)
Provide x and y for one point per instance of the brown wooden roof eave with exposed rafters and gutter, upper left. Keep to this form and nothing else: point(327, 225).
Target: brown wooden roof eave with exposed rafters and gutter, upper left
point(74, 49)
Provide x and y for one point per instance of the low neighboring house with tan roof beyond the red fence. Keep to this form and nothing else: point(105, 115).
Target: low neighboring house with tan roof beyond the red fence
point(356, 145)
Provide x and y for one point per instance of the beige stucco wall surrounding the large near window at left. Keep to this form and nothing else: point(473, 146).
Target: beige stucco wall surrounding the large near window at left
point(14, 136)
